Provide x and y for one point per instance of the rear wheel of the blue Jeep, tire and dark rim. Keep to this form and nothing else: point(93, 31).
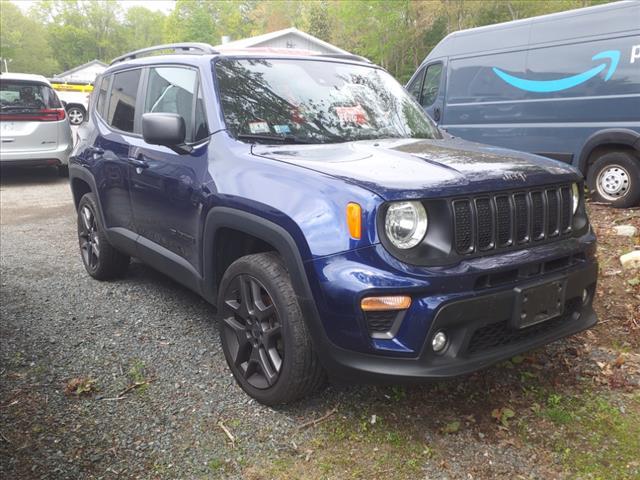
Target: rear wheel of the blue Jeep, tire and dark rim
point(101, 260)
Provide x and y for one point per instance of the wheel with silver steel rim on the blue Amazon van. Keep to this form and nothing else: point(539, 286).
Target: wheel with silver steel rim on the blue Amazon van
point(614, 178)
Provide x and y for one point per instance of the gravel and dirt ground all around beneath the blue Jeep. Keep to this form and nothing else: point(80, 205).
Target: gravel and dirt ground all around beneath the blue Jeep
point(127, 380)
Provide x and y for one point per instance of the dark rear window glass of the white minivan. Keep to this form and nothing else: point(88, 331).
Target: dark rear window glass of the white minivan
point(17, 96)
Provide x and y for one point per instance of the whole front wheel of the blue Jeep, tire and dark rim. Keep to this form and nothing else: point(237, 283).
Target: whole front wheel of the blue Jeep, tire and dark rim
point(263, 334)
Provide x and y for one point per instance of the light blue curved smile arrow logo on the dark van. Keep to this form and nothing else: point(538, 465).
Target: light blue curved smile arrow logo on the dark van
point(568, 82)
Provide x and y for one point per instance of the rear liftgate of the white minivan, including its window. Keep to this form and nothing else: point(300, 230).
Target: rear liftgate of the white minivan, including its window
point(29, 116)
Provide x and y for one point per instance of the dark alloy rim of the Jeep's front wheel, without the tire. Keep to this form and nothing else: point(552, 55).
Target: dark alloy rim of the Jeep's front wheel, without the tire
point(252, 331)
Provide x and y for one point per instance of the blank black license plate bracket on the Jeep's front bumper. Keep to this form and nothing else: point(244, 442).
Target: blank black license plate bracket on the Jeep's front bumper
point(538, 303)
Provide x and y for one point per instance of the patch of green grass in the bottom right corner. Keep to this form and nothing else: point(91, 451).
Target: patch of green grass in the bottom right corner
point(595, 437)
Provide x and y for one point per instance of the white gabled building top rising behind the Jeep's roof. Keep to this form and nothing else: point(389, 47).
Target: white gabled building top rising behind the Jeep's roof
point(287, 38)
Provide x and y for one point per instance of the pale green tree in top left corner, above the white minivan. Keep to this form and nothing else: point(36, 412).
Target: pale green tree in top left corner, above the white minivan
point(23, 43)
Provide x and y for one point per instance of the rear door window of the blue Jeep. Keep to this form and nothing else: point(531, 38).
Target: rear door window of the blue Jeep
point(122, 102)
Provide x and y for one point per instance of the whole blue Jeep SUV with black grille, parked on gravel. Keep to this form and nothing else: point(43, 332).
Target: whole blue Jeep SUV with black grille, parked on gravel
point(335, 228)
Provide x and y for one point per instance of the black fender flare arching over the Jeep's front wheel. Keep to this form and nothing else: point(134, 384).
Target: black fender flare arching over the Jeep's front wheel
point(281, 239)
